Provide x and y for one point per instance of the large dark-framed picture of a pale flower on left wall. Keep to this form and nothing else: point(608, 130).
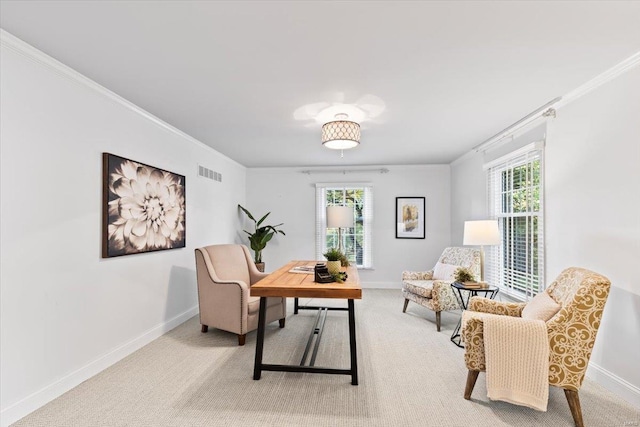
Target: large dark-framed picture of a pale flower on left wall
point(143, 208)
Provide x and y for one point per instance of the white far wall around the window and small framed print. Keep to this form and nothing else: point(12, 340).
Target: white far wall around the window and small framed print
point(290, 196)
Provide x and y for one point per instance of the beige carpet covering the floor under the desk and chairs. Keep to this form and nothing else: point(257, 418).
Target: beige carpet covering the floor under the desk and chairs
point(410, 375)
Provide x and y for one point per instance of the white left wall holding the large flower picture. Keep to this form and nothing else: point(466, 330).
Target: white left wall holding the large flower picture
point(66, 313)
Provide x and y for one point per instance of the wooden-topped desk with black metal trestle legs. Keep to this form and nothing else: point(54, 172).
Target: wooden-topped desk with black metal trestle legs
point(282, 283)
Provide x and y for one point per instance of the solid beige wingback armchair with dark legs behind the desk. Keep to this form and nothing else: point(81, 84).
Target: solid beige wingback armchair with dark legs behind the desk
point(225, 273)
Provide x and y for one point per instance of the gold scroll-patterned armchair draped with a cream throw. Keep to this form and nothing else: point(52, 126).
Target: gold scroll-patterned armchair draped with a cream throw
point(571, 308)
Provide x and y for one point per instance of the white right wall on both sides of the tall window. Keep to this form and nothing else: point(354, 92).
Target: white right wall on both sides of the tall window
point(592, 200)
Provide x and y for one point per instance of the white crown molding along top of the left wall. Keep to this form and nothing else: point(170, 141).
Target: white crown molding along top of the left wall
point(16, 45)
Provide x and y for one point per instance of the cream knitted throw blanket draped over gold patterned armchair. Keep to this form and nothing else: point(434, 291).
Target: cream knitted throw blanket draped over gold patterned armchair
point(517, 360)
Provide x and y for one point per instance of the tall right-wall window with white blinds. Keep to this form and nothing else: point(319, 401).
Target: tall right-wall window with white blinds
point(515, 192)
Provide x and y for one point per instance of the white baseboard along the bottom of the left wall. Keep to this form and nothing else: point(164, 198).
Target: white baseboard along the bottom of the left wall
point(41, 397)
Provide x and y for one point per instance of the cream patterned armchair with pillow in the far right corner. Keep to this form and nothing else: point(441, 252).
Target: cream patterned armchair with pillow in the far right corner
point(432, 289)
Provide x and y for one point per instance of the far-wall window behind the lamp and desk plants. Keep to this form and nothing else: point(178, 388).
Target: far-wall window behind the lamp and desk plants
point(357, 240)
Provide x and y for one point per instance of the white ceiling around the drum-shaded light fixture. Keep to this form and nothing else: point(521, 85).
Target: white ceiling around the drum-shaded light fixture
point(232, 74)
